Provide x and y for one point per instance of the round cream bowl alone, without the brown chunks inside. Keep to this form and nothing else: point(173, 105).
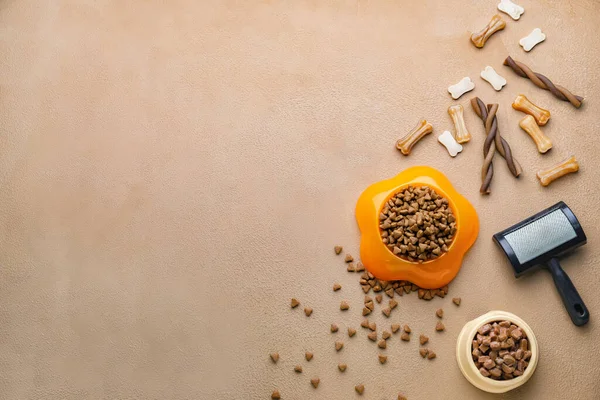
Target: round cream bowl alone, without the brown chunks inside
point(465, 359)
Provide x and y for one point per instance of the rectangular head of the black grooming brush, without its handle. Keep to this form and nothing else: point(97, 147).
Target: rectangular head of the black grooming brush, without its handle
point(540, 238)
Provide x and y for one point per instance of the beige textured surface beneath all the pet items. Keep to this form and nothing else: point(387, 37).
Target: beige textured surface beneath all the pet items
point(172, 172)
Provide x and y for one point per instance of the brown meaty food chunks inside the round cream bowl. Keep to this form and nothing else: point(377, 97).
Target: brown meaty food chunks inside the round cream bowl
point(500, 350)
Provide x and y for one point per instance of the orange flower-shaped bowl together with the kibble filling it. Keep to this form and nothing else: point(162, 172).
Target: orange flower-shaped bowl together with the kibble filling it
point(415, 227)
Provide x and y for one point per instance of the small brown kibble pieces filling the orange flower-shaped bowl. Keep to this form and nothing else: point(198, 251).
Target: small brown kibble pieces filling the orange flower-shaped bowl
point(417, 224)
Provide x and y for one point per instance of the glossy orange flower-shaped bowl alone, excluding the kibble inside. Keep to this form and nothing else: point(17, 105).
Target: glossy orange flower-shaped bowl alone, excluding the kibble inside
point(382, 263)
